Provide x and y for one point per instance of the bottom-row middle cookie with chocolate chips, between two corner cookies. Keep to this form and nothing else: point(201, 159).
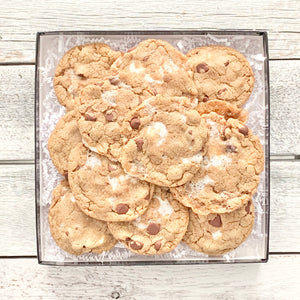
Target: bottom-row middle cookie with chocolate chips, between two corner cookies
point(159, 230)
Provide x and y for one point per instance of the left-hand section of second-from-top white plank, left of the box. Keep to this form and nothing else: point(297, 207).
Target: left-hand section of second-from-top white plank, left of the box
point(16, 112)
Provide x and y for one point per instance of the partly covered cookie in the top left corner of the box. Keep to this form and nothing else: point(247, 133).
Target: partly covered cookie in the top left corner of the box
point(80, 66)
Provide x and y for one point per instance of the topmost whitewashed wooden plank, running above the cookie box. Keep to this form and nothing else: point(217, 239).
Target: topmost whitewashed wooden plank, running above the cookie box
point(19, 22)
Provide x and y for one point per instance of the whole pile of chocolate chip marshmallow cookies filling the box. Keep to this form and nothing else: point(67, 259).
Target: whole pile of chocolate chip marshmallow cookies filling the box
point(154, 149)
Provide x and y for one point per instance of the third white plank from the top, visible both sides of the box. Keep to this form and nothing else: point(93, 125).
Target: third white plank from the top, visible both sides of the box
point(17, 213)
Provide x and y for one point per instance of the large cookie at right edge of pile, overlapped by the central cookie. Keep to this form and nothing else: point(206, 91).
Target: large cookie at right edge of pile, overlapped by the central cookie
point(230, 170)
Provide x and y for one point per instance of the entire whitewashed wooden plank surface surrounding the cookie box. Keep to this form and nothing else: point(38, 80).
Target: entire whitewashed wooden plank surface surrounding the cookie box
point(21, 277)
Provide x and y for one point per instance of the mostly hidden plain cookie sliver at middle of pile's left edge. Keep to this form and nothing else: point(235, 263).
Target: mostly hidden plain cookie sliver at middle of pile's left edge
point(63, 139)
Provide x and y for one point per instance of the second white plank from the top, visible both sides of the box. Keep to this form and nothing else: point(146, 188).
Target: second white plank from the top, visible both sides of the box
point(17, 110)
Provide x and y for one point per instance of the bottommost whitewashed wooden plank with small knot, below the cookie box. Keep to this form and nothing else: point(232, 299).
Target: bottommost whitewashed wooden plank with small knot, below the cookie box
point(278, 279)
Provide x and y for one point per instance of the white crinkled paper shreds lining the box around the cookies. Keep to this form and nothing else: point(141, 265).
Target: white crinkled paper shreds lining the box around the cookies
point(52, 48)
